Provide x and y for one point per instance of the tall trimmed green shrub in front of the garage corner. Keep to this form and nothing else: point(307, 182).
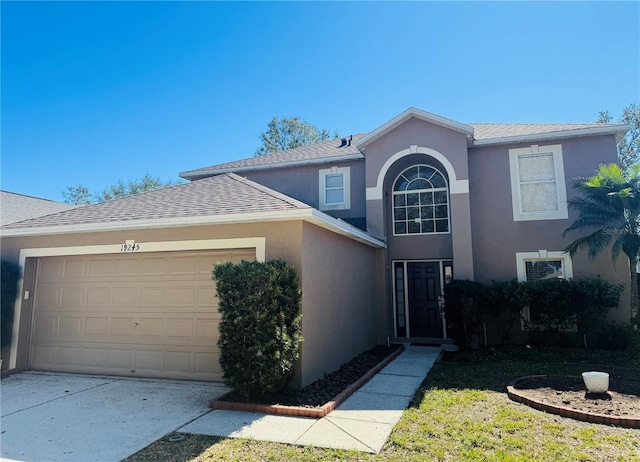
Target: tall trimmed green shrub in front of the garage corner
point(260, 329)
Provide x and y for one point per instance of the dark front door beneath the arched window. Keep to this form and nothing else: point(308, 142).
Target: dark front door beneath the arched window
point(424, 289)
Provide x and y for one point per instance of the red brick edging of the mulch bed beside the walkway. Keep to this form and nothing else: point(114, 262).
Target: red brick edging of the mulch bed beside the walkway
point(299, 411)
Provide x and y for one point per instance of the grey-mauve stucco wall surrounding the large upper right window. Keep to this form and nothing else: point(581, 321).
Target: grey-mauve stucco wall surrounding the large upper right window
point(497, 237)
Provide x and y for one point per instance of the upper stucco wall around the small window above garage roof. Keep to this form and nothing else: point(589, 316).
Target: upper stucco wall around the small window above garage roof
point(302, 183)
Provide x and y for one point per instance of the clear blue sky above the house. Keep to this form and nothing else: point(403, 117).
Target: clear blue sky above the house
point(95, 92)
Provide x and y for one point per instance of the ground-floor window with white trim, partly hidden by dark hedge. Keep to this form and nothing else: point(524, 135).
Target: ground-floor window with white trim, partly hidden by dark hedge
point(541, 265)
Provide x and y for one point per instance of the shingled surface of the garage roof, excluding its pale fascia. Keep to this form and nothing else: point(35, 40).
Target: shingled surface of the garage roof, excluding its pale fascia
point(217, 195)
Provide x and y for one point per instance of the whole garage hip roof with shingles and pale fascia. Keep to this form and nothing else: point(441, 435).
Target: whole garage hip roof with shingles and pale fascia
point(226, 198)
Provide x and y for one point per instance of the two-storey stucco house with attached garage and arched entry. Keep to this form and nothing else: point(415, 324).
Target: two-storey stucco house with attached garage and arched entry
point(375, 224)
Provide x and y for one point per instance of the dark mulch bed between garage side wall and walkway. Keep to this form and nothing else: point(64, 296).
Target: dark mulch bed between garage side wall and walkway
point(321, 391)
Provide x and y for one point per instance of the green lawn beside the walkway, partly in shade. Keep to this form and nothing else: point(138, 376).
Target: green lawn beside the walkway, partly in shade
point(460, 413)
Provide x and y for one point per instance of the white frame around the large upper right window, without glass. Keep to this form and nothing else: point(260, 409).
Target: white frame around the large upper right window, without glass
point(561, 189)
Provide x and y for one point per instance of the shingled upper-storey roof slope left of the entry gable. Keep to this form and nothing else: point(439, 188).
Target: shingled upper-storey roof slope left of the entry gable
point(327, 151)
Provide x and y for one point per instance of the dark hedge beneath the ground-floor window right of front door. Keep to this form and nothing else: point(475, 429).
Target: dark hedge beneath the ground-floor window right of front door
point(559, 309)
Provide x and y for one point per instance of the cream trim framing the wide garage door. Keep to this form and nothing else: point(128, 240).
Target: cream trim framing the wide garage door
point(257, 243)
